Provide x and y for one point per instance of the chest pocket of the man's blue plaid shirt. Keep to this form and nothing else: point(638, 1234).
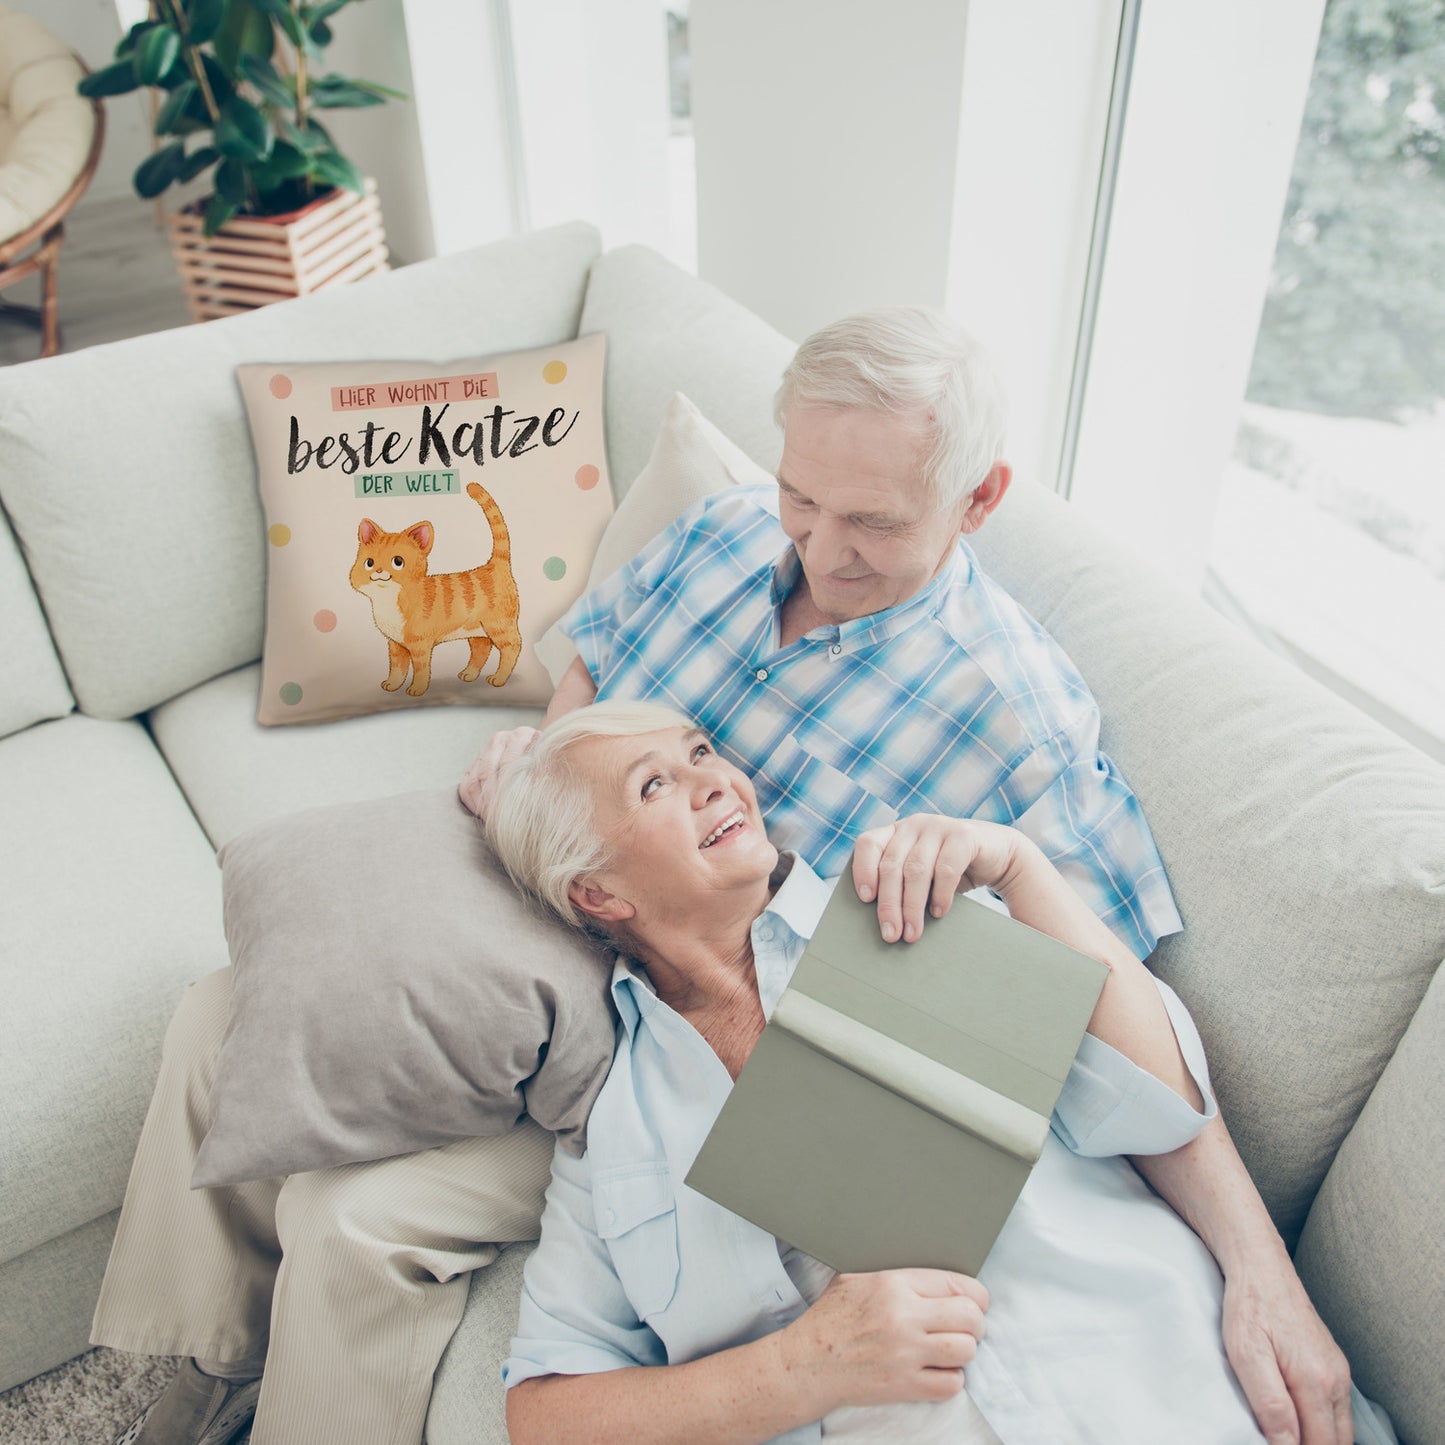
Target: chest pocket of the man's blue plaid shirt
point(817, 810)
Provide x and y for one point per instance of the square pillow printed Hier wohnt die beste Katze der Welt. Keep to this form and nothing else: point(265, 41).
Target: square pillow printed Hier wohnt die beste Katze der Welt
point(426, 525)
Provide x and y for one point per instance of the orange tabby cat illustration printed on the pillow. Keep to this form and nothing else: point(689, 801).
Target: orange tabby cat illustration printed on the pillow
point(415, 612)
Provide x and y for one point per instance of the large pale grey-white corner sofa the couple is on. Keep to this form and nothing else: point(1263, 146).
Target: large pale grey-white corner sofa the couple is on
point(1306, 846)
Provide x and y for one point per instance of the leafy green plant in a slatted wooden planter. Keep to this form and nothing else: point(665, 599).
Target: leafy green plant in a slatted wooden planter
point(241, 85)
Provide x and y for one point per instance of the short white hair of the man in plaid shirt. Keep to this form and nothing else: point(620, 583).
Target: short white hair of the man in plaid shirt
point(908, 361)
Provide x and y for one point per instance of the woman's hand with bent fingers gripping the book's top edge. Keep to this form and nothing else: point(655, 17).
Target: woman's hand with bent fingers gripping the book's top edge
point(918, 865)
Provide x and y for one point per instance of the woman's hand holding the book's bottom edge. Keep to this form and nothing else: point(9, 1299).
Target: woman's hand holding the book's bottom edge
point(902, 1334)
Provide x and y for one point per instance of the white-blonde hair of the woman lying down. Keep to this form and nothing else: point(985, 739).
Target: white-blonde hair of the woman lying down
point(543, 821)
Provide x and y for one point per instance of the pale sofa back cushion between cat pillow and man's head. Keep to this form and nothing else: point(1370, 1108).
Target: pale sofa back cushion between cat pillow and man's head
point(671, 333)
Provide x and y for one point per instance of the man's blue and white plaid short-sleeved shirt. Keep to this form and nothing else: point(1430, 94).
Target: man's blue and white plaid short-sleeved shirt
point(956, 703)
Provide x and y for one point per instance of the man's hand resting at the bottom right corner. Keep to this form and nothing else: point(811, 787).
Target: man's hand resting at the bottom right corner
point(1293, 1372)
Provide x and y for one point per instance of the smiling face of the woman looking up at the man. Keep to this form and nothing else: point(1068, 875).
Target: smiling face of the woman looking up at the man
point(681, 823)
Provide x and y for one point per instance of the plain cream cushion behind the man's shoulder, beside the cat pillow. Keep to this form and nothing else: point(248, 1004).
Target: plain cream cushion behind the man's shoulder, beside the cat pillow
point(690, 460)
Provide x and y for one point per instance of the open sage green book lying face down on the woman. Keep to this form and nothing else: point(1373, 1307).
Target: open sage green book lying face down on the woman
point(900, 1096)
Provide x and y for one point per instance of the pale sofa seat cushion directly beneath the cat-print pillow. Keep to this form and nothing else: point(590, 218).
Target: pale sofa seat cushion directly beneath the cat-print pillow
point(238, 774)
